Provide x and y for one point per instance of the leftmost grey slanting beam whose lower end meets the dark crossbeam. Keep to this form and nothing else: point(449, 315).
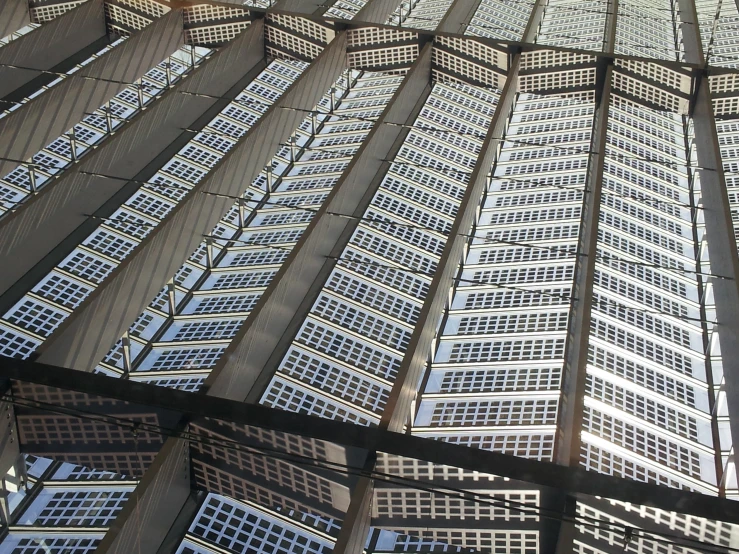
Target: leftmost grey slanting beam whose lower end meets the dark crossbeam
point(87, 335)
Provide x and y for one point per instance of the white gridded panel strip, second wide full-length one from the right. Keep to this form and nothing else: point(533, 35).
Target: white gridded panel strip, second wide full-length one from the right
point(504, 335)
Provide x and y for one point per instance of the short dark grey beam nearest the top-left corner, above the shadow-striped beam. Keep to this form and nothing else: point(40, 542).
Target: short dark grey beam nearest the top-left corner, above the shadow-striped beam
point(49, 45)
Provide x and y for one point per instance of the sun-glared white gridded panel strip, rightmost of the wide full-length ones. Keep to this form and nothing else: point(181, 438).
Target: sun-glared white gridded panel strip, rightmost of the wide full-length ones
point(647, 338)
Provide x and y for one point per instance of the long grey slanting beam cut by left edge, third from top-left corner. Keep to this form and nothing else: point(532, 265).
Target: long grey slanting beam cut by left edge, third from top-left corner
point(44, 229)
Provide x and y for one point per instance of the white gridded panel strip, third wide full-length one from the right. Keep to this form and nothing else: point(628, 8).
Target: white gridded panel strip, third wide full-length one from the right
point(360, 326)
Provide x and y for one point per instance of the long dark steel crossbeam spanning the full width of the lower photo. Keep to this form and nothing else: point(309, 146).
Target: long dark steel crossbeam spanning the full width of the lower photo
point(372, 439)
